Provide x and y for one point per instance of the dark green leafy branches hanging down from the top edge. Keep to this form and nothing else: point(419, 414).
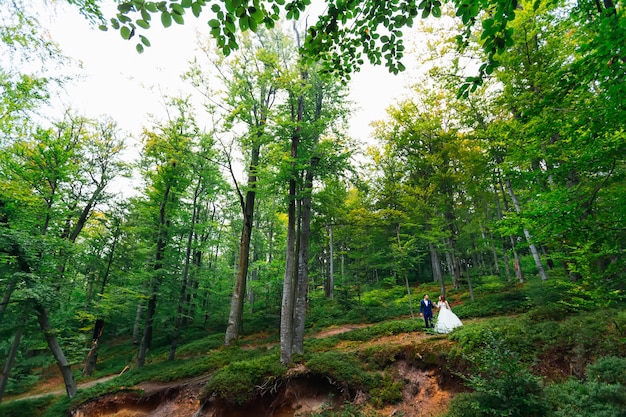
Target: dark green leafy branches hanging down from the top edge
point(345, 34)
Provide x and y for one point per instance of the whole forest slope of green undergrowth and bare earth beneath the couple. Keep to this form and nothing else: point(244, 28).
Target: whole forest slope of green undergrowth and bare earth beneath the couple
point(367, 360)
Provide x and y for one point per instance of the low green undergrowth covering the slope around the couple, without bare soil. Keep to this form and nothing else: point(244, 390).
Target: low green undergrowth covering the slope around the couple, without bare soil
point(535, 321)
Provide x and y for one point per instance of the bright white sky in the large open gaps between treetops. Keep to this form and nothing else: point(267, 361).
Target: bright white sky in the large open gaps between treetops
point(127, 86)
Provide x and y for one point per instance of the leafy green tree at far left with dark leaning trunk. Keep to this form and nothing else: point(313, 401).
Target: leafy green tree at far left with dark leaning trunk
point(52, 183)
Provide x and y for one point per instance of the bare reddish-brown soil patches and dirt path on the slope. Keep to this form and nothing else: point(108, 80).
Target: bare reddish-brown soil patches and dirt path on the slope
point(423, 393)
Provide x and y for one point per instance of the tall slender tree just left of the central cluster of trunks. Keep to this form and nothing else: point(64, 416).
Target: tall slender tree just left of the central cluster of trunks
point(251, 79)
